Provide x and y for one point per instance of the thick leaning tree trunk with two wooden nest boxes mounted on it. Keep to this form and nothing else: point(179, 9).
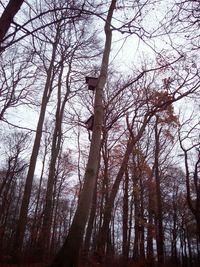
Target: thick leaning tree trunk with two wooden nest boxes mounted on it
point(69, 253)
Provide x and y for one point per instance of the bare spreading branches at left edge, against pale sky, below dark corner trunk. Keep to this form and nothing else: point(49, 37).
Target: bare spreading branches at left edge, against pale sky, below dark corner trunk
point(17, 76)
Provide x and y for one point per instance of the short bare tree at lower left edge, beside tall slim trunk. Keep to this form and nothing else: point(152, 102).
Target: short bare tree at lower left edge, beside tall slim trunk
point(11, 184)
